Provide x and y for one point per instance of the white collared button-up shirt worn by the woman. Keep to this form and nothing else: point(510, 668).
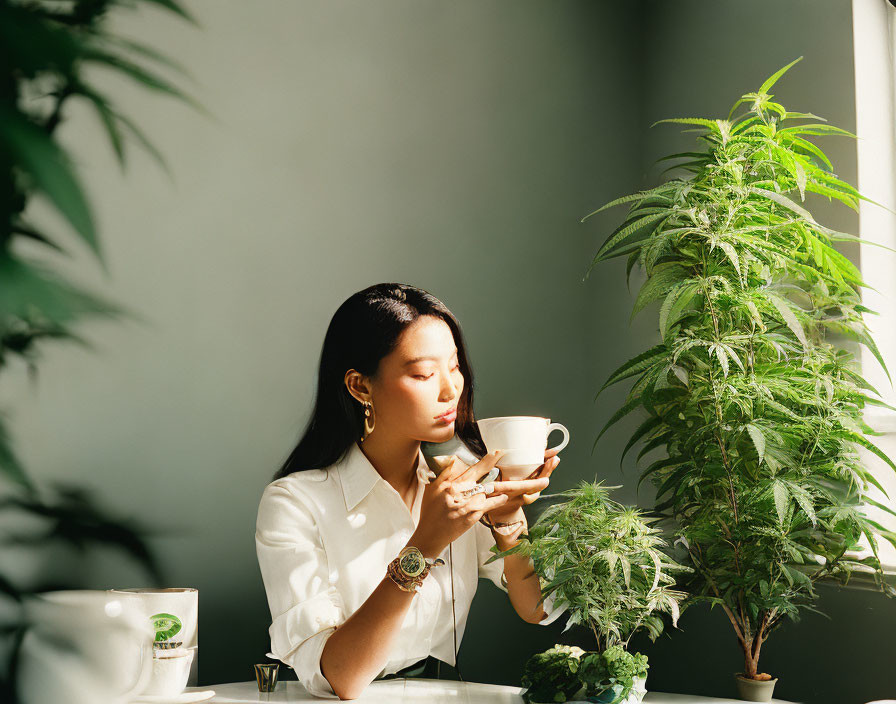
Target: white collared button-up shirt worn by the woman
point(324, 539)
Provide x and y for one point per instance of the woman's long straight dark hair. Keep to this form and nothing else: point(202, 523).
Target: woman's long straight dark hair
point(364, 329)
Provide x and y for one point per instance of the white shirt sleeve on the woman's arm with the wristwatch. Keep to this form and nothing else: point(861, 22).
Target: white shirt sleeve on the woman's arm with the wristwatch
point(305, 607)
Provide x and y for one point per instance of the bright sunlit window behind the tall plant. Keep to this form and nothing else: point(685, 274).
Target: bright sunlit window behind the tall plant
point(874, 34)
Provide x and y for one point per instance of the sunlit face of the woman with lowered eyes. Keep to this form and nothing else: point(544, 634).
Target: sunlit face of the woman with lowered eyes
point(418, 381)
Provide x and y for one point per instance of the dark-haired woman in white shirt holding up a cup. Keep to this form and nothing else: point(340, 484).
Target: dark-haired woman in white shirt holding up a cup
point(370, 562)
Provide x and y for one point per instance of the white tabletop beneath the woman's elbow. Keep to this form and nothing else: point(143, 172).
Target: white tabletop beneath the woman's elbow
point(420, 691)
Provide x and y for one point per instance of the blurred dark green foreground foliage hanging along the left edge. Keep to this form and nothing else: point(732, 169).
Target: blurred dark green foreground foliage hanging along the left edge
point(46, 49)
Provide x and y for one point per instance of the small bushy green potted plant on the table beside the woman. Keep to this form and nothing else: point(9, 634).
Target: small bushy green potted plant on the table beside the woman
point(605, 563)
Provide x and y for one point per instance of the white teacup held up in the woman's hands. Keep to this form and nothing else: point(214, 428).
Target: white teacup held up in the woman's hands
point(524, 440)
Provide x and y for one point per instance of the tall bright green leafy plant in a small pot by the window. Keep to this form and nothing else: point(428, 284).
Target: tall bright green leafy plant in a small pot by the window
point(758, 415)
